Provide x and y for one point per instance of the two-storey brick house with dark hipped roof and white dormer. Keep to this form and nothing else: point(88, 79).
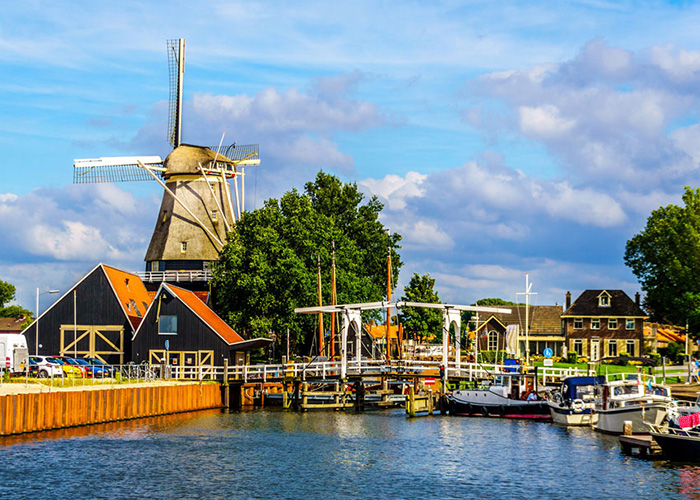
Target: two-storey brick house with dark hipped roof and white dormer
point(604, 323)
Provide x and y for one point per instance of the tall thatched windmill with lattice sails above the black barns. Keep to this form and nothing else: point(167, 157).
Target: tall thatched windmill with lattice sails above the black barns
point(197, 207)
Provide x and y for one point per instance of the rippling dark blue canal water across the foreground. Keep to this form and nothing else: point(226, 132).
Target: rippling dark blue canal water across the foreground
point(286, 455)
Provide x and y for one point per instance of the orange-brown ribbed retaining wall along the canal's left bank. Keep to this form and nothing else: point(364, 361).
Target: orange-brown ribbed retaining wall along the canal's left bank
point(54, 410)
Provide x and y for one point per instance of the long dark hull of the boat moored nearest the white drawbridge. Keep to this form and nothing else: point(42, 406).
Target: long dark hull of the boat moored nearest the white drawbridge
point(485, 404)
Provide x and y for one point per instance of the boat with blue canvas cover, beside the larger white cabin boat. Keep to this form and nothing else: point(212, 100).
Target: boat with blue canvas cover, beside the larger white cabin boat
point(574, 402)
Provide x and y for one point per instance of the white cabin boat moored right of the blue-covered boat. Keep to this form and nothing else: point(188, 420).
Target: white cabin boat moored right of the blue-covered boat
point(636, 399)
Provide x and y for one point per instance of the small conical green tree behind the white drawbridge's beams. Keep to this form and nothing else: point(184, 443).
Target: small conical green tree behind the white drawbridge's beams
point(420, 322)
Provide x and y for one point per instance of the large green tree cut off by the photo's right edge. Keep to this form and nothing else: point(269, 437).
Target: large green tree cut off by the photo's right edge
point(665, 258)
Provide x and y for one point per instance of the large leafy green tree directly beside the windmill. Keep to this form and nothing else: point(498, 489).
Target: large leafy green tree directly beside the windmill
point(269, 265)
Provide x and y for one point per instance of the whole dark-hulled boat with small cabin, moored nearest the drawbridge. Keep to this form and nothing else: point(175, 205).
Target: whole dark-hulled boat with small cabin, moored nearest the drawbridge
point(508, 395)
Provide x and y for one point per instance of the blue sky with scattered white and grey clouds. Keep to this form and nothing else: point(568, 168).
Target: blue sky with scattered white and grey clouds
point(503, 137)
